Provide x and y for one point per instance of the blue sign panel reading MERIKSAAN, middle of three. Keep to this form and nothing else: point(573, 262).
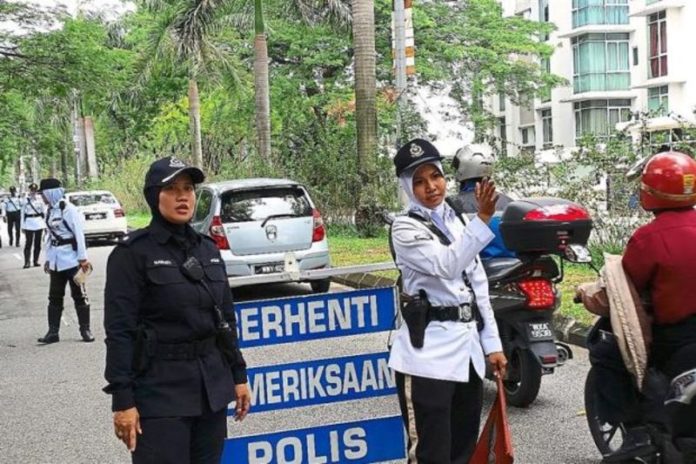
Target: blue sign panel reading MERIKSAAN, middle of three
point(320, 381)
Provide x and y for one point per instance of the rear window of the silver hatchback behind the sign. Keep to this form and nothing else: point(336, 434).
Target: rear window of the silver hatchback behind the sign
point(257, 205)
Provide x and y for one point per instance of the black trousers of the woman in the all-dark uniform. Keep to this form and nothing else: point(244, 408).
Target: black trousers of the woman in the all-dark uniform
point(182, 440)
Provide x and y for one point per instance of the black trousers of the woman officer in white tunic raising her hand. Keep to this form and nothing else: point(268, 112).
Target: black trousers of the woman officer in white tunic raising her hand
point(441, 417)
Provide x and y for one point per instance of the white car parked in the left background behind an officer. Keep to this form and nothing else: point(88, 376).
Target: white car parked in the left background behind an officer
point(104, 216)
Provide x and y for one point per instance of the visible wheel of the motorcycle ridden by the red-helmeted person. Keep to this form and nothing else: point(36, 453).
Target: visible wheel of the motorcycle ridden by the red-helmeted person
point(607, 437)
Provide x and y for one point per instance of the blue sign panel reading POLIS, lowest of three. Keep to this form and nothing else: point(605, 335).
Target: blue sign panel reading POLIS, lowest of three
point(374, 440)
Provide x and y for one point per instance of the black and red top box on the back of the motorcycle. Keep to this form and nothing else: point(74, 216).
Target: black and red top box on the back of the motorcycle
point(544, 225)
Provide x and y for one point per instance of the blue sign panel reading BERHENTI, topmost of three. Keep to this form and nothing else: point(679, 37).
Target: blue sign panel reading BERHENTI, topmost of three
point(312, 317)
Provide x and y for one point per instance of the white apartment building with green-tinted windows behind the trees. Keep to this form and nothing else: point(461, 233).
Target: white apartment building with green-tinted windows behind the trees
point(620, 57)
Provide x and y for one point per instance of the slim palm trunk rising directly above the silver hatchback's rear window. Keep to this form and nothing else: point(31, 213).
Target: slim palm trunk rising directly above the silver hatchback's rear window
point(261, 85)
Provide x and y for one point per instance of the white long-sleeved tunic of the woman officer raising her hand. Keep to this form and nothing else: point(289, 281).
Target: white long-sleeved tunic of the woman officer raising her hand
point(449, 347)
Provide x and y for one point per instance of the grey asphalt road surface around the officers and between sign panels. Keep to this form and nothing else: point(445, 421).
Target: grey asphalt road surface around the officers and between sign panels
point(52, 409)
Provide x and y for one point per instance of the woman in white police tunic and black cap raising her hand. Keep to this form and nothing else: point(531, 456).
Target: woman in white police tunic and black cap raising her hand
point(439, 383)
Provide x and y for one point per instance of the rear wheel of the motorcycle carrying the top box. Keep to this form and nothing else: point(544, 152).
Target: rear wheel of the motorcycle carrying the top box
point(523, 380)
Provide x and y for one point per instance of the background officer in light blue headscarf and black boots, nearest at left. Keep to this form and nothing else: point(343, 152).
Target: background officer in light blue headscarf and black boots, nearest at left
point(66, 254)
